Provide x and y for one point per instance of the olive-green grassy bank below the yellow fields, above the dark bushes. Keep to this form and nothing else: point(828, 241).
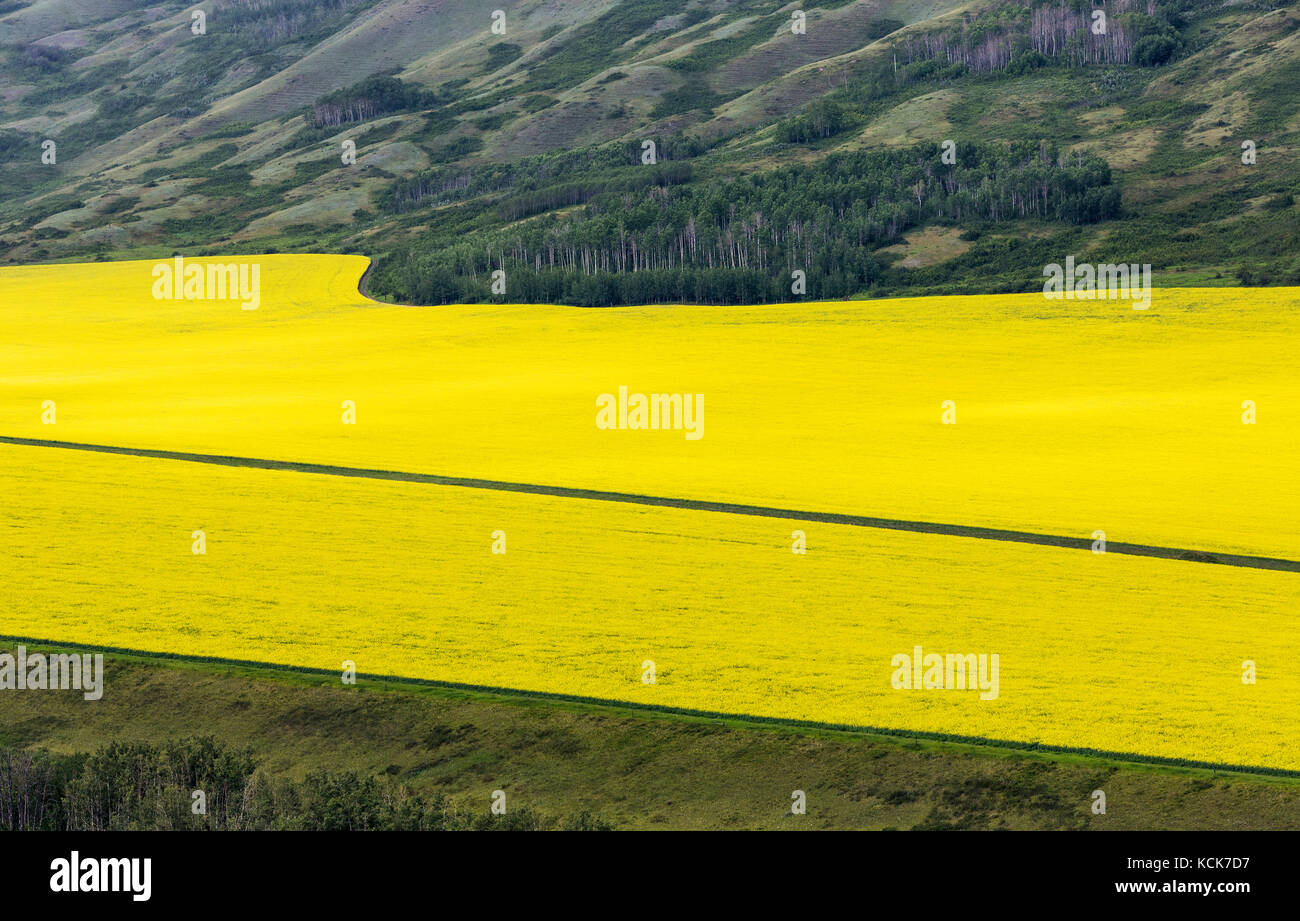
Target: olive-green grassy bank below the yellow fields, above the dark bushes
point(640, 771)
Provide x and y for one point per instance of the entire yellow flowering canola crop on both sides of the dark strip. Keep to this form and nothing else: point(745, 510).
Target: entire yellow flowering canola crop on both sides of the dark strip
point(1071, 417)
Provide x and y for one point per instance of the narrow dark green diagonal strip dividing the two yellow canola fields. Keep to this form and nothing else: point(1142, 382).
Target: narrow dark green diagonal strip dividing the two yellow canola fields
point(669, 503)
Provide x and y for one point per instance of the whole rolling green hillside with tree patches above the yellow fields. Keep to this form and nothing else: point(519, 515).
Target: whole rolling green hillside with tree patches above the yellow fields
point(781, 144)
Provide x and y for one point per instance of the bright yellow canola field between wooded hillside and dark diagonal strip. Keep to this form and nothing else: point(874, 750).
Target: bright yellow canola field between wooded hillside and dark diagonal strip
point(1072, 417)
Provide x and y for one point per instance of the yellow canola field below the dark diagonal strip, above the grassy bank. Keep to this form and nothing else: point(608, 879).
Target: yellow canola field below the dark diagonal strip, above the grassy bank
point(1106, 652)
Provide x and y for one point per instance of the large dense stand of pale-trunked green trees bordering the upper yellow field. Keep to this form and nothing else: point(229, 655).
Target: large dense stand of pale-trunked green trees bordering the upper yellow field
point(826, 219)
